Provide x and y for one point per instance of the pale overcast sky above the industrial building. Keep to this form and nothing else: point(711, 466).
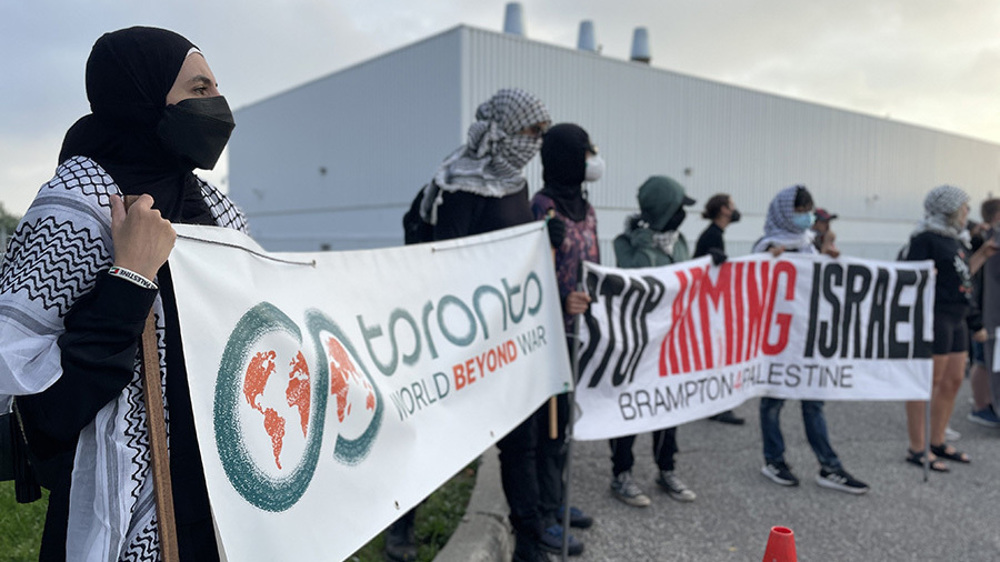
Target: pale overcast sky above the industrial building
point(927, 62)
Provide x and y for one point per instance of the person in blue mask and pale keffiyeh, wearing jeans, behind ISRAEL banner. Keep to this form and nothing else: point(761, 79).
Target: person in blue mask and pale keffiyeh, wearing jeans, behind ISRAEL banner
point(789, 217)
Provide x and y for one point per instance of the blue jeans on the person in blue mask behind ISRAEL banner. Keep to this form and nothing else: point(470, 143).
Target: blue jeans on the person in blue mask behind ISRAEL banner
point(815, 424)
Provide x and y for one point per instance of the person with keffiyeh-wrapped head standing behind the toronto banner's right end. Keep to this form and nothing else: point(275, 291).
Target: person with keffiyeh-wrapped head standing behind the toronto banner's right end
point(480, 188)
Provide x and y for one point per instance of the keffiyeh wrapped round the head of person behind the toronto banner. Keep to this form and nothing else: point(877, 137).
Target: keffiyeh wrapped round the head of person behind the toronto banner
point(490, 162)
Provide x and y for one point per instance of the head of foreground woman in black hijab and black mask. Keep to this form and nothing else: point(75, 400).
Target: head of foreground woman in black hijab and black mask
point(146, 145)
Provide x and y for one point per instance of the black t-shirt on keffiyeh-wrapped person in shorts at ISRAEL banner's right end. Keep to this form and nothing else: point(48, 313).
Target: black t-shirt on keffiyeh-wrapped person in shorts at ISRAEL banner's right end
point(953, 289)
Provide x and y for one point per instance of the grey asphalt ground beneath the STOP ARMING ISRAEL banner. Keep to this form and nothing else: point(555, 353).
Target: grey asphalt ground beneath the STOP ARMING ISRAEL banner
point(954, 516)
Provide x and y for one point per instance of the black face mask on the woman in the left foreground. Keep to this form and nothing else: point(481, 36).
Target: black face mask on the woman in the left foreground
point(197, 129)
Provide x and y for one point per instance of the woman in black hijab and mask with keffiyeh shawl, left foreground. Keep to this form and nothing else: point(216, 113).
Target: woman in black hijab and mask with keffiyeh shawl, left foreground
point(80, 277)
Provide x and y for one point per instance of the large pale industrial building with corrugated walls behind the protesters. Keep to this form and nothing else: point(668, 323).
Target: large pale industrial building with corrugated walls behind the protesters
point(334, 164)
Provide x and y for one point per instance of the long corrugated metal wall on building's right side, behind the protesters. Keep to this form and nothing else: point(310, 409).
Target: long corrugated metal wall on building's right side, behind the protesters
point(715, 137)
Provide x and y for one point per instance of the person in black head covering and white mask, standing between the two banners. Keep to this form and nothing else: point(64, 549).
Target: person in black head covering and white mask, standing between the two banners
point(568, 161)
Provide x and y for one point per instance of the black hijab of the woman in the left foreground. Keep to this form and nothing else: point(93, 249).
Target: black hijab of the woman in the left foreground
point(129, 73)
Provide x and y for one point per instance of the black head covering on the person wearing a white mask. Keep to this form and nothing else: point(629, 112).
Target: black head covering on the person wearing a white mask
point(564, 165)
